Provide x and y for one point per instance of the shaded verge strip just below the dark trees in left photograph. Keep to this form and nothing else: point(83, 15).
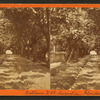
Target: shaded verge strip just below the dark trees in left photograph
point(28, 65)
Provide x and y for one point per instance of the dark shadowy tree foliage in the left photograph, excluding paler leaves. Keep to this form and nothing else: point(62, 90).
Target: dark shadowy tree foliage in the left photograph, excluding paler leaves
point(30, 34)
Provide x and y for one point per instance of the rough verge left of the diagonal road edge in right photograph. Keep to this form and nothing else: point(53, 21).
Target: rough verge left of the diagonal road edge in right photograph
point(64, 76)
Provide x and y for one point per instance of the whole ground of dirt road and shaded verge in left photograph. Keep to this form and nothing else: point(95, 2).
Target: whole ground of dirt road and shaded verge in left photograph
point(17, 72)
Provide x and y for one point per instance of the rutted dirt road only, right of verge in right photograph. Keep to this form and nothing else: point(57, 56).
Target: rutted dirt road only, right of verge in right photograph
point(89, 76)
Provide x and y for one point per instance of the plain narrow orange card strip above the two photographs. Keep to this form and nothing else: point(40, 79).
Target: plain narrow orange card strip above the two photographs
point(51, 5)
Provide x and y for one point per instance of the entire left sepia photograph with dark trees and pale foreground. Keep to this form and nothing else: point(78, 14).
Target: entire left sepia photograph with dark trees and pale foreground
point(24, 48)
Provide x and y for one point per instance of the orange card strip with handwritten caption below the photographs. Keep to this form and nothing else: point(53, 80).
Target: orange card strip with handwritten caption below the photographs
point(50, 92)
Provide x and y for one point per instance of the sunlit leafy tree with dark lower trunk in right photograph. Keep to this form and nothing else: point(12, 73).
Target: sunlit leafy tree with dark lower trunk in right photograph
point(73, 30)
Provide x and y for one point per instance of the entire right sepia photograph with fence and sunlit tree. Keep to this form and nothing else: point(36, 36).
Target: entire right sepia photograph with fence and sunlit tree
point(75, 49)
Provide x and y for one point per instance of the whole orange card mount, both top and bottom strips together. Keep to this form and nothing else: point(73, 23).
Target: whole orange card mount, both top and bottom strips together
point(50, 92)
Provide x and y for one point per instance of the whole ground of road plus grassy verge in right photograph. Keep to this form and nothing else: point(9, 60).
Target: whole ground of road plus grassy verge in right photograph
point(84, 74)
